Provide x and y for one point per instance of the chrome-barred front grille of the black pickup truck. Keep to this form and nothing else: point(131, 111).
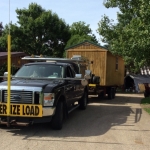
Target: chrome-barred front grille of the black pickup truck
point(24, 97)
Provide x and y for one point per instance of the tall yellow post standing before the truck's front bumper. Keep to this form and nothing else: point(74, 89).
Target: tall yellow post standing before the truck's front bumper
point(9, 74)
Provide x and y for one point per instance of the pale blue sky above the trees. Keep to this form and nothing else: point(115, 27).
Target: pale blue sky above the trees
point(88, 11)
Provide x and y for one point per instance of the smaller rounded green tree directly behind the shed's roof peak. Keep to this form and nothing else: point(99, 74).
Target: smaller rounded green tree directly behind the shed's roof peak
point(79, 33)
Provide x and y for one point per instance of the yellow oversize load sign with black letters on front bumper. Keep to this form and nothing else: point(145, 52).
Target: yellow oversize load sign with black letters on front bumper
point(21, 110)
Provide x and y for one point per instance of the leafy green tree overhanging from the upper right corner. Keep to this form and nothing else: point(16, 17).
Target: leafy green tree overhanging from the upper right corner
point(130, 36)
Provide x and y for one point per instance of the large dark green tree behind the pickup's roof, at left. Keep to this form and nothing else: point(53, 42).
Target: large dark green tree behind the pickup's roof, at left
point(38, 32)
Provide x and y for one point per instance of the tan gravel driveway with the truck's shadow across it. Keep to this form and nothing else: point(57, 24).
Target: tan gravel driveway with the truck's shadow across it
point(118, 124)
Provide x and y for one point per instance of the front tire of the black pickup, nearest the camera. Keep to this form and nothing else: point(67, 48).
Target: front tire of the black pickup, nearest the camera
point(57, 119)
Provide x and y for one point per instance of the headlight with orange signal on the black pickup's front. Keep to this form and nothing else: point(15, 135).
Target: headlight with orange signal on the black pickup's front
point(48, 99)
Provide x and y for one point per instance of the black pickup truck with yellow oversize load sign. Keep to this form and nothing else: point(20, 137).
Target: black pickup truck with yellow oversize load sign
point(43, 92)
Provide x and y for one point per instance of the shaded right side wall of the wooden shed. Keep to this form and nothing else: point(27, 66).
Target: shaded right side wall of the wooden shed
point(113, 76)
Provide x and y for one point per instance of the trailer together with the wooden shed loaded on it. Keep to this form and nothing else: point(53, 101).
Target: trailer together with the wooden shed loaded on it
point(107, 69)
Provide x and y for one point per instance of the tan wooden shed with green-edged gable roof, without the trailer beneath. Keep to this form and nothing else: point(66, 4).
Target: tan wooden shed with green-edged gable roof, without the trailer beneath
point(110, 68)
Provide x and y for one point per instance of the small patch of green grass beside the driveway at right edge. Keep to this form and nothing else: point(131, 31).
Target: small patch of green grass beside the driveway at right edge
point(146, 104)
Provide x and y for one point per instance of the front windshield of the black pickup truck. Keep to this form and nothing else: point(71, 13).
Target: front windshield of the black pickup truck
point(49, 71)
